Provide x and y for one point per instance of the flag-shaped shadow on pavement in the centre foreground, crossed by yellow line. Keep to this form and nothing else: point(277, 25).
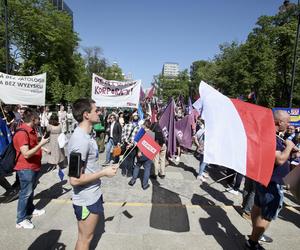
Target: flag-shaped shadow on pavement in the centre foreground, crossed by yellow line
point(167, 212)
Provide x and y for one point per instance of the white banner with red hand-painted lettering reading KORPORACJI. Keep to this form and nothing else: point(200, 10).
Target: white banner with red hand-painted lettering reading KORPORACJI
point(107, 93)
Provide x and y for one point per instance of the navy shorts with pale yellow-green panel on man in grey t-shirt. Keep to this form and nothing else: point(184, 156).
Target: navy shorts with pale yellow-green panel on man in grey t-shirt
point(82, 212)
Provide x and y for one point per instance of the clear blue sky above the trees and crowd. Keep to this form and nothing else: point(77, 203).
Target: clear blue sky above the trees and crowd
point(142, 35)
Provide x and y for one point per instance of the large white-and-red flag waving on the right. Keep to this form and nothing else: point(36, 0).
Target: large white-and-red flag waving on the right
point(238, 135)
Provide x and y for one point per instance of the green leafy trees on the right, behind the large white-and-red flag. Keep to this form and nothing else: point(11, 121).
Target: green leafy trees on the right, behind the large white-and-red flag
point(262, 64)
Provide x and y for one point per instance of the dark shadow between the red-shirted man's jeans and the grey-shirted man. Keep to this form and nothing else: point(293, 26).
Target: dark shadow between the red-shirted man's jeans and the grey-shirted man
point(53, 192)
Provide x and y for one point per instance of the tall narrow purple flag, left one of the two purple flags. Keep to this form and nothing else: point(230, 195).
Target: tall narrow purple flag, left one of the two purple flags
point(167, 124)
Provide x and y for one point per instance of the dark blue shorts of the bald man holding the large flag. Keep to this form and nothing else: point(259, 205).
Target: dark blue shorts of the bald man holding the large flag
point(269, 199)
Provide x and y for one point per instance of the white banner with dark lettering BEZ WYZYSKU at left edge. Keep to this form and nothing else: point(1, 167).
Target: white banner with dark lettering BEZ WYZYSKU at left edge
point(26, 90)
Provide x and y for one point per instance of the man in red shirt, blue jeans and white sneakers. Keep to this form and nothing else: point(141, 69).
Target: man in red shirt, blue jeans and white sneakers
point(28, 165)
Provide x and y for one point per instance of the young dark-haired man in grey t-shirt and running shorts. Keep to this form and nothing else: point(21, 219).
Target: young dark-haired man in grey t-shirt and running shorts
point(87, 194)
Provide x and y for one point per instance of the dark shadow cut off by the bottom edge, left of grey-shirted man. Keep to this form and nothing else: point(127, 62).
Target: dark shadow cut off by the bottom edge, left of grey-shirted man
point(47, 241)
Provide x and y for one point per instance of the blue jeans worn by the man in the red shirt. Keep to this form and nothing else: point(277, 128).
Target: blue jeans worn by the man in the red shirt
point(27, 184)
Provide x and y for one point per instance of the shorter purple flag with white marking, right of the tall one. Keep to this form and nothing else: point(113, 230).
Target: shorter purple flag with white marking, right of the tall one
point(183, 131)
